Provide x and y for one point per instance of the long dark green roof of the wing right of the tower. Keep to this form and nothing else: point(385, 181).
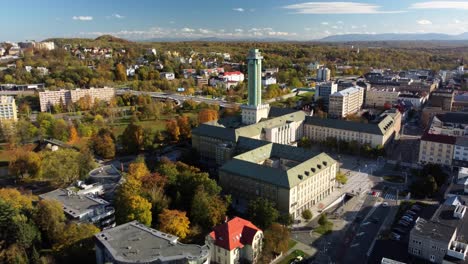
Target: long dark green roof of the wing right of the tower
point(379, 128)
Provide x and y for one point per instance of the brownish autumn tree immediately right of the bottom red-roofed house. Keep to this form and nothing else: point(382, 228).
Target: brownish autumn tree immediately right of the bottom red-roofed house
point(276, 239)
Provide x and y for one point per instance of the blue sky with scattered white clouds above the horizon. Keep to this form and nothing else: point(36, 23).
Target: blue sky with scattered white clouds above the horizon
point(240, 19)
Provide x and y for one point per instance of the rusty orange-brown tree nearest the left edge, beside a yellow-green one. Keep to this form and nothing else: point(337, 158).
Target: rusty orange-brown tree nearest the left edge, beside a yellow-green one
point(25, 164)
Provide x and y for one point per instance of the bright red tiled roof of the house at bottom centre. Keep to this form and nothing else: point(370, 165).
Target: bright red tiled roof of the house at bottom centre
point(234, 234)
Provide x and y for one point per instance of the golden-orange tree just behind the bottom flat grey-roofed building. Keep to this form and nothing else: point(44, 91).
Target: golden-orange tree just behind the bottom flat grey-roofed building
point(174, 222)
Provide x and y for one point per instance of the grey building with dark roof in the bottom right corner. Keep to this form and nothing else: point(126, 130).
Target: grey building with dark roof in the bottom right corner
point(442, 239)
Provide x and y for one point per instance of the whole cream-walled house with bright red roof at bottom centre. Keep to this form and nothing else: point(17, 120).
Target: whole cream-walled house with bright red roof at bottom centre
point(235, 240)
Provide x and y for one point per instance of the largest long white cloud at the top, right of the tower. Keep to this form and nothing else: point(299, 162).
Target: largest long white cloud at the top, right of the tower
point(337, 8)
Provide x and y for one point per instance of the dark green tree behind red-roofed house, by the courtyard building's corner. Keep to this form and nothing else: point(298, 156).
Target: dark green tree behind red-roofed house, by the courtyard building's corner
point(262, 212)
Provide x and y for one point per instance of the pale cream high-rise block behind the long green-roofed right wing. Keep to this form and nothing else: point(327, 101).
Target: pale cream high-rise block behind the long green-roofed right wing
point(346, 102)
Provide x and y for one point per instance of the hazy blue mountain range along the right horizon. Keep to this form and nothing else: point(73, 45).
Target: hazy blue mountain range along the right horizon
point(395, 37)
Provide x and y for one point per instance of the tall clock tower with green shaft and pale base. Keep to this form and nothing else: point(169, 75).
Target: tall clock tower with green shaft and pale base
point(254, 111)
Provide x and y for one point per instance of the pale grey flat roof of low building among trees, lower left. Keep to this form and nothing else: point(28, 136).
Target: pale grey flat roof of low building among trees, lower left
point(74, 205)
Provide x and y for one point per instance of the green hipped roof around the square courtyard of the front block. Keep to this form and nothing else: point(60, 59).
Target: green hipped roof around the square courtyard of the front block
point(277, 164)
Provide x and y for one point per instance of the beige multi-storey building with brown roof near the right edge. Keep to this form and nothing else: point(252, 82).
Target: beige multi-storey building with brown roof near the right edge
point(436, 148)
